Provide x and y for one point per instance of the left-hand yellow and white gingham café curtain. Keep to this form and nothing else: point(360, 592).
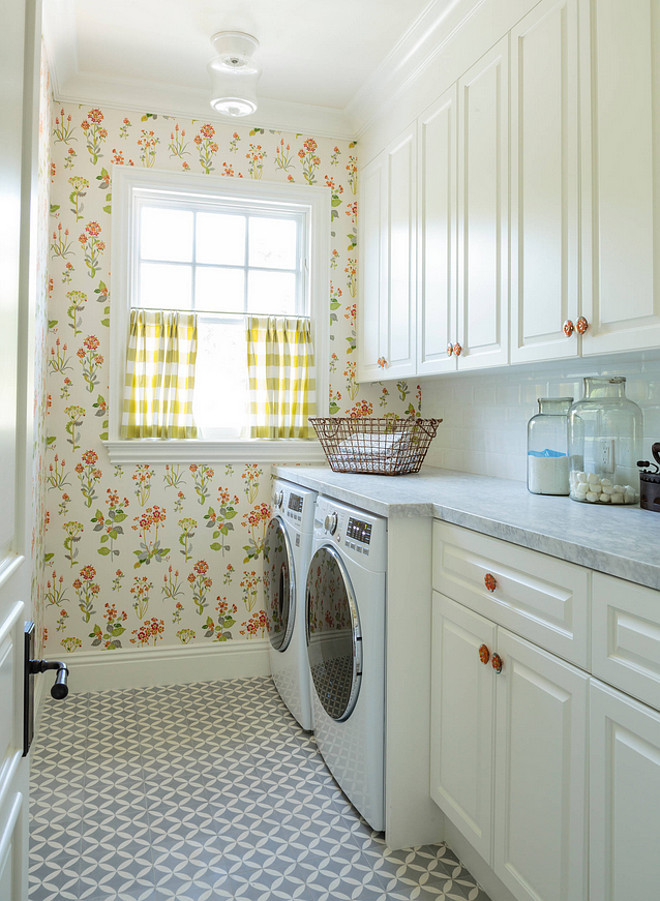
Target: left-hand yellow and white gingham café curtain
point(160, 375)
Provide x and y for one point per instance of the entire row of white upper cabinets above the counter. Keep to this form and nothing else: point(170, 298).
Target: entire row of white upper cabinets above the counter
point(535, 196)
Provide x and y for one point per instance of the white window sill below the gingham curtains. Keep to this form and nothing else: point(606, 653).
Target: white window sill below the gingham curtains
point(259, 450)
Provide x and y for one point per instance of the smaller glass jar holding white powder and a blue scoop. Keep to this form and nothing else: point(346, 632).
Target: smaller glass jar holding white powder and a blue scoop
point(547, 447)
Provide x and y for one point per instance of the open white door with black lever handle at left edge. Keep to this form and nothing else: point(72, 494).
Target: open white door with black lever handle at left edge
point(16, 45)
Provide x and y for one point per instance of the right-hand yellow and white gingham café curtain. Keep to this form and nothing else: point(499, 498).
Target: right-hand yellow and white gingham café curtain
point(281, 385)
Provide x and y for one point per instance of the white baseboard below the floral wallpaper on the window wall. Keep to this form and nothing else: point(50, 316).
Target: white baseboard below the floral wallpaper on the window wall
point(142, 667)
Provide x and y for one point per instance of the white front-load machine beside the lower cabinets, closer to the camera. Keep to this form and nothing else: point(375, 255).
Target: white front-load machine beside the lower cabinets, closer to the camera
point(345, 601)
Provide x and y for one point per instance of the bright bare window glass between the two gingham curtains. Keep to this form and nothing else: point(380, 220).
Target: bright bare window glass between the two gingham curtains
point(220, 400)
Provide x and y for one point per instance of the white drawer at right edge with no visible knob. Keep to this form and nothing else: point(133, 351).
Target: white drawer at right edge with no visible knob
point(626, 637)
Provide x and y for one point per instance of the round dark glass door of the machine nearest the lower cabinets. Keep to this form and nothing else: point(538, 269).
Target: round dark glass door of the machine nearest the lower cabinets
point(334, 640)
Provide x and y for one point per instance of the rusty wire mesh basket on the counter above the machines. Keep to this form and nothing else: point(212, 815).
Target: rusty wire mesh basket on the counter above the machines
point(386, 447)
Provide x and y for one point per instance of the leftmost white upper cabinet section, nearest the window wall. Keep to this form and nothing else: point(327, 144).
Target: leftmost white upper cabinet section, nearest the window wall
point(387, 312)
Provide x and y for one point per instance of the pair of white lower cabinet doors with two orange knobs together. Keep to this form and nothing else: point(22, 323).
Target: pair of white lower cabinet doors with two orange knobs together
point(508, 752)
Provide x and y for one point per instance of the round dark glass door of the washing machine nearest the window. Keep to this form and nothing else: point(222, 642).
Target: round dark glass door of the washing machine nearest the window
point(280, 584)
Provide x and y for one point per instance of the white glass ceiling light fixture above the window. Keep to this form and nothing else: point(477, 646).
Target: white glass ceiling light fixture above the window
point(234, 74)
